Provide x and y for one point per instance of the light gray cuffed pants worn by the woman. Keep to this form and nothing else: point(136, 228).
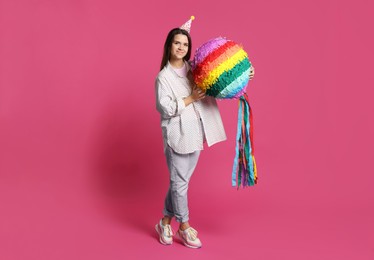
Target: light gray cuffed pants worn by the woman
point(181, 167)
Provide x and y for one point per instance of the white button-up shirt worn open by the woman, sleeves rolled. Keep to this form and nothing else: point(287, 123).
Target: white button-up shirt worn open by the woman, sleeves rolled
point(183, 126)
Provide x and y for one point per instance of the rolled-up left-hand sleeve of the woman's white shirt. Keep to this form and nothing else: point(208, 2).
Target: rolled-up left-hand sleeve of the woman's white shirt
point(167, 104)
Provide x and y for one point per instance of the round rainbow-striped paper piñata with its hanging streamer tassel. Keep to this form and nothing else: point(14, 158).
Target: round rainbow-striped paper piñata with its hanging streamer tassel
point(221, 68)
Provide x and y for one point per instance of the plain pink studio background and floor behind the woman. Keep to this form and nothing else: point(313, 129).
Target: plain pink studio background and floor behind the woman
point(82, 172)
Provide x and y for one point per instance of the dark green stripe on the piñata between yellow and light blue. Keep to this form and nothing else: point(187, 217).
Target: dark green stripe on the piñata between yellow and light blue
point(228, 77)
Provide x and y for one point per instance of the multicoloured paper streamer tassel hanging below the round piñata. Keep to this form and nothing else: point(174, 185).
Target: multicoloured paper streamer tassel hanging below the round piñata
point(244, 171)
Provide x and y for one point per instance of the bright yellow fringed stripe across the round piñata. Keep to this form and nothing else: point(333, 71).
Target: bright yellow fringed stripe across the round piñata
point(225, 66)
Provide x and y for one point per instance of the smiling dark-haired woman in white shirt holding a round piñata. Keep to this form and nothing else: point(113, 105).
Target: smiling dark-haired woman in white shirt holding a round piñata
point(188, 118)
